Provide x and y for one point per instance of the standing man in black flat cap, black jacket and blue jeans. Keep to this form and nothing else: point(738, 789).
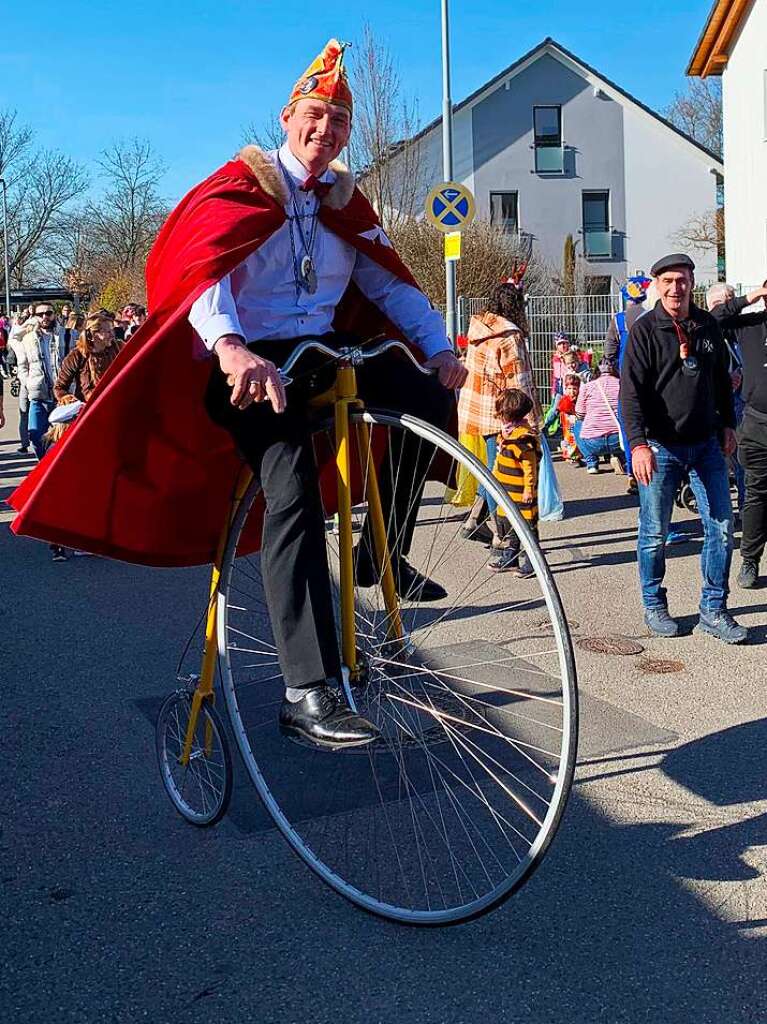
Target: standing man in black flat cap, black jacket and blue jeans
point(677, 403)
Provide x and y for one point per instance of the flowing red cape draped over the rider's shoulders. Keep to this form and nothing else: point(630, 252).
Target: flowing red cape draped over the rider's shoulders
point(144, 475)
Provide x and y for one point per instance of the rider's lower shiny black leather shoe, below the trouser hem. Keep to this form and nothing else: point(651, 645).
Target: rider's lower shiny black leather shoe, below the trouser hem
point(324, 719)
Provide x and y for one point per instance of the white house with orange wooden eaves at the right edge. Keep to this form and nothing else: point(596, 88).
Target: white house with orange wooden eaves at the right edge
point(734, 45)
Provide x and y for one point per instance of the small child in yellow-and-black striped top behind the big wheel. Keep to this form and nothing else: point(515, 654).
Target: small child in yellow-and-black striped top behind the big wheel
point(517, 468)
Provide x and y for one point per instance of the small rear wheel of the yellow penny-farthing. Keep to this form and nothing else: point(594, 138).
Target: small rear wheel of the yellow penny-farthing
point(201, 790)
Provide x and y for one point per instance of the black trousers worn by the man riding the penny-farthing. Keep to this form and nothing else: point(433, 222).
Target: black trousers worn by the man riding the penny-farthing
point(278, 448)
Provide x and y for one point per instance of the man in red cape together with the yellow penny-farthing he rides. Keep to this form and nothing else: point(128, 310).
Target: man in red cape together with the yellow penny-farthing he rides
point(434, 707)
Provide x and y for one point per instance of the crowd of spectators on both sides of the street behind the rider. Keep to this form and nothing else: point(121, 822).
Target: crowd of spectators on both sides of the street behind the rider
point(677, 391)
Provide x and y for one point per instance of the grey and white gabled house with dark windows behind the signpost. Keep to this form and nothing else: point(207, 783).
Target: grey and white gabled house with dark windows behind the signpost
point(549, 147)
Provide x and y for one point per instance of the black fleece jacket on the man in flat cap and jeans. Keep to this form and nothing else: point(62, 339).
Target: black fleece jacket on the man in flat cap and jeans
point(664, 401)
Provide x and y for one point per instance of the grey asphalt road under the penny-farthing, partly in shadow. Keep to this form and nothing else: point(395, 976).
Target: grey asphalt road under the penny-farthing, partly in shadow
point(651, 907)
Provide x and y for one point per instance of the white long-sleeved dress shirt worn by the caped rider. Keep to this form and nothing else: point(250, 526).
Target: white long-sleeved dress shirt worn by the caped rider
point(258, 301)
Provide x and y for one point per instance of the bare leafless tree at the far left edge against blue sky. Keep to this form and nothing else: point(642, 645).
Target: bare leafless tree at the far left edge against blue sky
point(41, 187)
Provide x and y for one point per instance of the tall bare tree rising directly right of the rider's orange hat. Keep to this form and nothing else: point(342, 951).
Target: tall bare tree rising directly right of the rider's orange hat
point(390, 160)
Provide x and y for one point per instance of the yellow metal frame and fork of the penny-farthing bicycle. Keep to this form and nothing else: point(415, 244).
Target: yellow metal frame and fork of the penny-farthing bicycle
point(343, 397)
